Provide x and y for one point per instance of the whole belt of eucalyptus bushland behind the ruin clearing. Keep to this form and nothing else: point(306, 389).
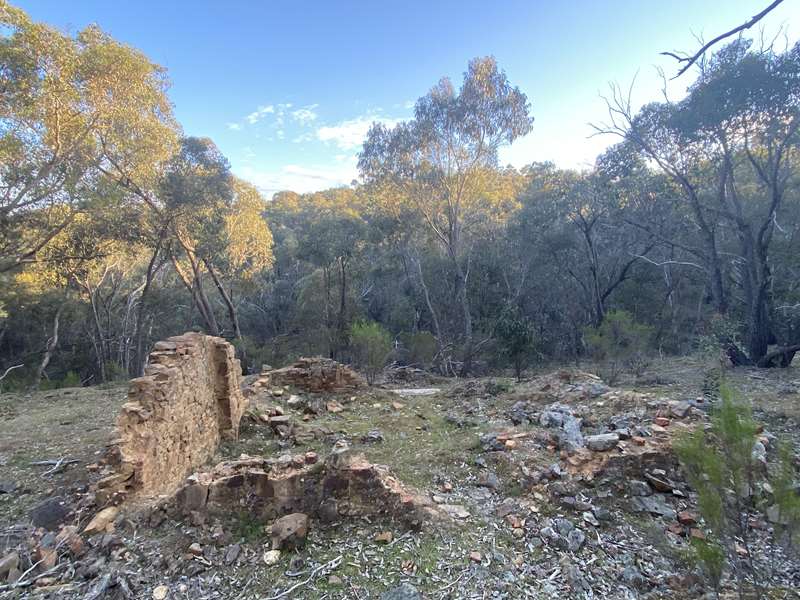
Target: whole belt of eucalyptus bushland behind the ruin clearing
point(117, 230)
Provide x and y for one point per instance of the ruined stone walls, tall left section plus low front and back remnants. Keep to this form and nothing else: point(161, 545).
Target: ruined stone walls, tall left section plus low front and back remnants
point(190, 399)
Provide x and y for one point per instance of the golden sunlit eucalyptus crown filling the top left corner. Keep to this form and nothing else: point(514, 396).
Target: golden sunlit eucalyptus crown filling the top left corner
point(73, 111)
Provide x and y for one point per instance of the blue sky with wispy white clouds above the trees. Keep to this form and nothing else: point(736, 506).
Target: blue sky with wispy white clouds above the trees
point(288, 89)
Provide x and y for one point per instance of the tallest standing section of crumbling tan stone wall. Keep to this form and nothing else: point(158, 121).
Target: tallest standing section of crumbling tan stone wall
point(176, 415)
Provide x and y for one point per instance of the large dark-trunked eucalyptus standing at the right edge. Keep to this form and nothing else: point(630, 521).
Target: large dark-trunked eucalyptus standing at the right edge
point(745, 105)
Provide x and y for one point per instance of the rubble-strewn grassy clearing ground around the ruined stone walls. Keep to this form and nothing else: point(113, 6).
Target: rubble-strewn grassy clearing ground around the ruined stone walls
point(556, 486)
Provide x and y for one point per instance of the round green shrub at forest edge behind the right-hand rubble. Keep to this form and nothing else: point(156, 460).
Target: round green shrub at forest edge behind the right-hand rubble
point(619, 343)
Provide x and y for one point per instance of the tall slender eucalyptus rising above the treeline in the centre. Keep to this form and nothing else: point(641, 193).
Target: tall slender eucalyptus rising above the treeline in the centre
point(438, 161)
